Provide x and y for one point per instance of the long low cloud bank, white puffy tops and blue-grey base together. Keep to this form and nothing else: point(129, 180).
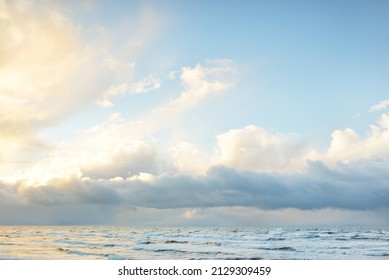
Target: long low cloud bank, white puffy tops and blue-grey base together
point(253, 169)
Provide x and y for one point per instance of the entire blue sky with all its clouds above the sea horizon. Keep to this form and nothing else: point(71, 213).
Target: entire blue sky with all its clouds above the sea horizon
point(220, 113)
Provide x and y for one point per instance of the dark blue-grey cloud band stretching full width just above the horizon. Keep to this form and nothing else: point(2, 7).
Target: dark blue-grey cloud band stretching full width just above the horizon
point(362, 185)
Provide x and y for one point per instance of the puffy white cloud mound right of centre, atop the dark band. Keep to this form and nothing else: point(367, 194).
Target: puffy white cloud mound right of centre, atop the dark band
point(255, 149)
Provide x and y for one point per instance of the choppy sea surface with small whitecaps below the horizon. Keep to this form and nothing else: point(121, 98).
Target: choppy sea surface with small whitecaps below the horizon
point(148, 243)
